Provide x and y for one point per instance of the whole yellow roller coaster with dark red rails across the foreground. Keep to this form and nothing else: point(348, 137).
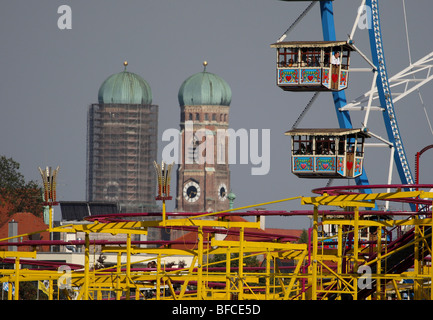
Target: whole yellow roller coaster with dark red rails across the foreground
point(351, 254)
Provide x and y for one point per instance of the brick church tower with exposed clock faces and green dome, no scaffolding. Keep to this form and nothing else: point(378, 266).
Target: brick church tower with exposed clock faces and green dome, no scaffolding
point(203, 176)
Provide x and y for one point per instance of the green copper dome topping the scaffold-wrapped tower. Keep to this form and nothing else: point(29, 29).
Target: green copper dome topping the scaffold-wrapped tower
point(125, 88)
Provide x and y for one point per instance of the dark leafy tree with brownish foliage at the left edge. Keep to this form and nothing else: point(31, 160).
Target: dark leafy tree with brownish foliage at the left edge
point(17, 195)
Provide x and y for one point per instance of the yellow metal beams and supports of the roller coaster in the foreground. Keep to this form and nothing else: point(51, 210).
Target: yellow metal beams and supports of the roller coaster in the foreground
point(319, 270)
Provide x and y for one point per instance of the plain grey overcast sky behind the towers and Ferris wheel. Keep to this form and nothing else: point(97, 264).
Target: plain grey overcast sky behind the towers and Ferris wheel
point(49, 77)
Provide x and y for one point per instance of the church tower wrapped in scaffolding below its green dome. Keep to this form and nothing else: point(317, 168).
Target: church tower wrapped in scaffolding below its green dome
point(122, 143)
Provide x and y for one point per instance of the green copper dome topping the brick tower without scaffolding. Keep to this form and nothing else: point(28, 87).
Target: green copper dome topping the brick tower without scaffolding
point(204, 88)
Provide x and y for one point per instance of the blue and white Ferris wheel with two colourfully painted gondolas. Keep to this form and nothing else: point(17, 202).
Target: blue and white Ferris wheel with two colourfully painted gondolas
point(296, 72)
